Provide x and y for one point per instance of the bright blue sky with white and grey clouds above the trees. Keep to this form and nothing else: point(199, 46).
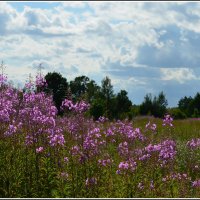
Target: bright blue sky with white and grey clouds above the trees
point(143, 47)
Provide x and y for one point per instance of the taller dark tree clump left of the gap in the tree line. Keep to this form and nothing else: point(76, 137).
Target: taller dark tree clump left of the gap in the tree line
point(103, 101)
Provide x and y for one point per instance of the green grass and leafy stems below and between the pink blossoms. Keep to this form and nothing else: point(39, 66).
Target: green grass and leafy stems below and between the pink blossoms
point(27, 174)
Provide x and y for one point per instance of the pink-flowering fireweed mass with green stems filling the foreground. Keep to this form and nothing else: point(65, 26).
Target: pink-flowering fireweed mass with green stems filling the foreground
point(43, 155)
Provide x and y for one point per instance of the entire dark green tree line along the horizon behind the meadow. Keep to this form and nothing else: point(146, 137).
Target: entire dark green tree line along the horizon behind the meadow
point(104, 102)
